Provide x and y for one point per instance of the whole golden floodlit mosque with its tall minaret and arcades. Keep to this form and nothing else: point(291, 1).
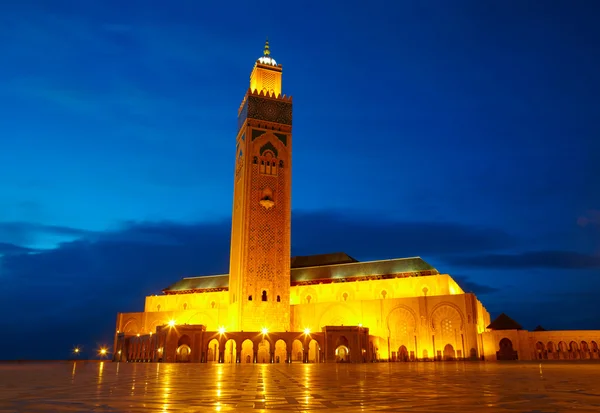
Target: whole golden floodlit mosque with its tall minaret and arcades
point(274, 308)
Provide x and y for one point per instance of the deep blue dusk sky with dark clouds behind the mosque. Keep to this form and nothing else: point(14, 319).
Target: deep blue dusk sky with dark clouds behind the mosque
point(464, 132)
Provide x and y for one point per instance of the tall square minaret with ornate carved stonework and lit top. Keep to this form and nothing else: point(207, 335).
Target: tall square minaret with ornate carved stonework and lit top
point(259, 270)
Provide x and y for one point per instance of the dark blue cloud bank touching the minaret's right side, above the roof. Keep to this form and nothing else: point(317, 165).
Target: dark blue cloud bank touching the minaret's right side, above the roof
point(370, 237)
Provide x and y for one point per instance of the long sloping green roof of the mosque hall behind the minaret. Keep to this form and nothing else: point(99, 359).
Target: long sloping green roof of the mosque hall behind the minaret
point(349, 271)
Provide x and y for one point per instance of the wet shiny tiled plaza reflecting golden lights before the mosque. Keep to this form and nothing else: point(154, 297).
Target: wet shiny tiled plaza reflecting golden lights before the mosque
point(394, 387)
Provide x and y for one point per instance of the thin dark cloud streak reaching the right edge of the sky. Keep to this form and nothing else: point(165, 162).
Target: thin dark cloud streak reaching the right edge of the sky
point(537, 259)
